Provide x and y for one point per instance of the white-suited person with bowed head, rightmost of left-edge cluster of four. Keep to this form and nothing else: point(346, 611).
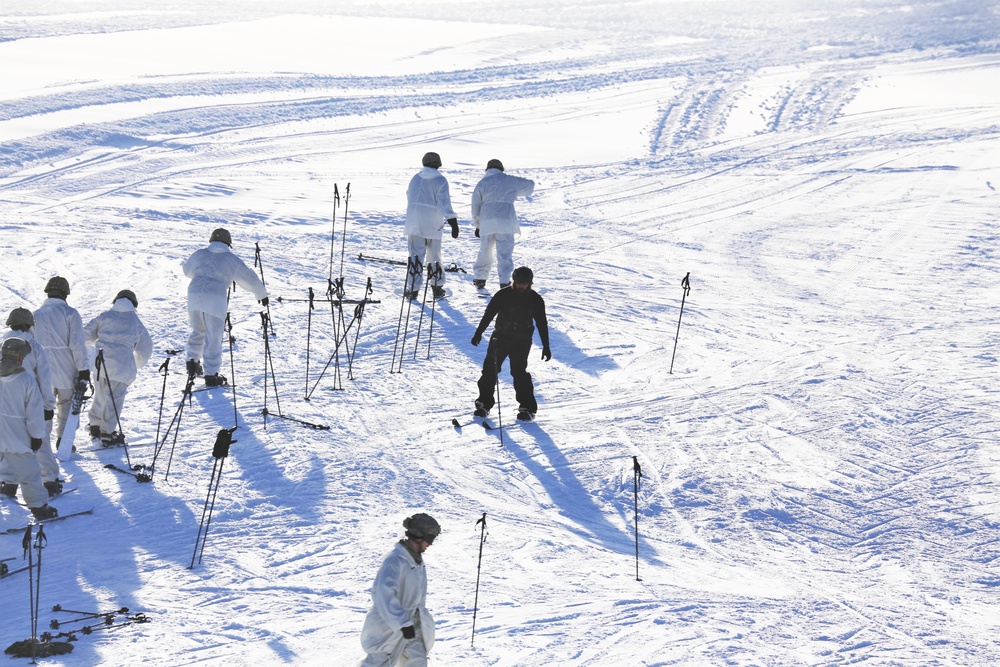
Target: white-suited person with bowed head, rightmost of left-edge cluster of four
point(125, 345)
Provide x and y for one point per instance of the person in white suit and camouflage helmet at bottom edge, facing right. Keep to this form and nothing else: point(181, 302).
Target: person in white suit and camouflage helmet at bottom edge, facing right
point(398, 630)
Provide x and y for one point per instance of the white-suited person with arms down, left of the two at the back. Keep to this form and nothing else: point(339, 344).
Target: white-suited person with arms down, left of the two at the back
point(428, 206)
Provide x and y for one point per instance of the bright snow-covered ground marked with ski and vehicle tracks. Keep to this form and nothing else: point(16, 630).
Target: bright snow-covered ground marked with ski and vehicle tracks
point(819, 471)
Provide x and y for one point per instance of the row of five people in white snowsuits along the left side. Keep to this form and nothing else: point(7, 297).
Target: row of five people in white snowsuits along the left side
point(46, 357)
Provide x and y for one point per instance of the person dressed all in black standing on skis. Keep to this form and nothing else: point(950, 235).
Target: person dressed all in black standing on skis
point(518, 311)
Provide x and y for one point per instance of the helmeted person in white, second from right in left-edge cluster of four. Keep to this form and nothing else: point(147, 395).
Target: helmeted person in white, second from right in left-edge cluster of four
point(59, 328)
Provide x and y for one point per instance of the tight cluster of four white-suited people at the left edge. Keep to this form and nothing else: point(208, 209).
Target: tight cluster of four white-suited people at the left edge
point(43, 361)
